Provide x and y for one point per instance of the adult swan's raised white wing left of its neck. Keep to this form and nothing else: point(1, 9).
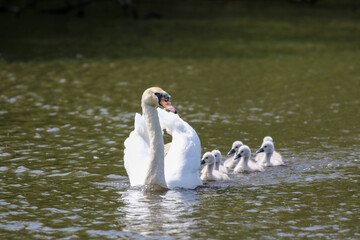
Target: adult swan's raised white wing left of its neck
point(136, 152)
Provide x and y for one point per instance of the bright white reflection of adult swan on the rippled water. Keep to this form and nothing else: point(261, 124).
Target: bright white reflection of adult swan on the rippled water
point(153, 214)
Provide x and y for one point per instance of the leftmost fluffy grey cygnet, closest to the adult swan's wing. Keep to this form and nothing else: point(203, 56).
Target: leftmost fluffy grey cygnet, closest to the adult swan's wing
point(208, 173)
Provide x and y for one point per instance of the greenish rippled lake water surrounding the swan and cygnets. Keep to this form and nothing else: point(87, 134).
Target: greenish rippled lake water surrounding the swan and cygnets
point(64, 118)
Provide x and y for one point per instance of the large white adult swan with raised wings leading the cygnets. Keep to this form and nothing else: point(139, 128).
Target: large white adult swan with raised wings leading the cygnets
point(144, 158)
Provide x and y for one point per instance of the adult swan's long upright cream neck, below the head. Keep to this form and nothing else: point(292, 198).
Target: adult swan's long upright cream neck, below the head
point(155, 173)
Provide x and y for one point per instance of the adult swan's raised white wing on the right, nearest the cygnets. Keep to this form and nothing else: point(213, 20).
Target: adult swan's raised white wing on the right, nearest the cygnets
point(182, 162)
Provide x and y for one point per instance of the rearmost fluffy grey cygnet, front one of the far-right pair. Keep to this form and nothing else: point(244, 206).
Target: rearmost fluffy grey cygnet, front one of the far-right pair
point(269, 156)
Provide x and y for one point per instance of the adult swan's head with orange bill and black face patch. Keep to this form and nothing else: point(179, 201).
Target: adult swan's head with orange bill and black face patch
point(156, 97)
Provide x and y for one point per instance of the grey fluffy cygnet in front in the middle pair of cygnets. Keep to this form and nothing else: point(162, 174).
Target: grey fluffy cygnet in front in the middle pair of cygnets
point(244, 164)
